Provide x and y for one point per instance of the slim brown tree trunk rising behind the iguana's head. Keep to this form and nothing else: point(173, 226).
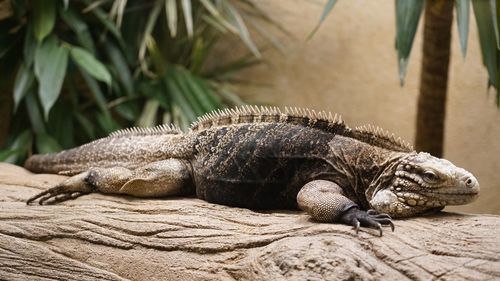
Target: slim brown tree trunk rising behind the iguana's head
point(434, 77)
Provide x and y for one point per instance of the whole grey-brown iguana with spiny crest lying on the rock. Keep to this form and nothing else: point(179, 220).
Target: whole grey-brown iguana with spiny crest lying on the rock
point(266, 158)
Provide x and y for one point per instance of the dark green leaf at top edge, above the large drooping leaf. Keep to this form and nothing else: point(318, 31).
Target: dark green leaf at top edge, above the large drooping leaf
point(44, 18)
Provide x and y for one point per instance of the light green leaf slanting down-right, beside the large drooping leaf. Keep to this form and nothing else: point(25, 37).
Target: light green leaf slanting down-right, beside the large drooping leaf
point(90, 64)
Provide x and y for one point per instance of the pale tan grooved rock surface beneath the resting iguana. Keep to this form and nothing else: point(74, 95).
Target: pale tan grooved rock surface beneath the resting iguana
point(123, 238)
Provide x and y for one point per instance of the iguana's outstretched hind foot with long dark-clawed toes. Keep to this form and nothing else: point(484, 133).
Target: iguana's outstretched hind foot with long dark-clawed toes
point(69, 189)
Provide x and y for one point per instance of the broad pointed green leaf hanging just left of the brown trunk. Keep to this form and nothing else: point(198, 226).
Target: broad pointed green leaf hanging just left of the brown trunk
point(407, 18)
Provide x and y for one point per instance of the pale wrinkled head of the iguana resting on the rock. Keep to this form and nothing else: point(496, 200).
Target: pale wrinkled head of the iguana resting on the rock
point(423, 183)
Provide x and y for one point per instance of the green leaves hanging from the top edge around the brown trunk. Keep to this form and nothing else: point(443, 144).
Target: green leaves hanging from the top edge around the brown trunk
point(408, 15)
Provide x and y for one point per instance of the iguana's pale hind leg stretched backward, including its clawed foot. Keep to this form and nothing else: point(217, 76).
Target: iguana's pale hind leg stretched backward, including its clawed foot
point(162, 178)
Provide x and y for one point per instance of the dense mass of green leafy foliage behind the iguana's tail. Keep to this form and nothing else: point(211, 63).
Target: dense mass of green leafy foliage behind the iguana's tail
point(86, 68)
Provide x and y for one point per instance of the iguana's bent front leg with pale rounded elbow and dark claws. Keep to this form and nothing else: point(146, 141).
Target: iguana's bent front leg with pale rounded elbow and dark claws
point(324, 201)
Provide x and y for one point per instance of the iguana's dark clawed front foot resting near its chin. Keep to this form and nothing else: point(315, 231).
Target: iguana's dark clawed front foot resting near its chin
point(370, 218)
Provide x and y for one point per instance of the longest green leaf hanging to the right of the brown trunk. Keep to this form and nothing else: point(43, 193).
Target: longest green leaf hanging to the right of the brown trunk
point(487, 38)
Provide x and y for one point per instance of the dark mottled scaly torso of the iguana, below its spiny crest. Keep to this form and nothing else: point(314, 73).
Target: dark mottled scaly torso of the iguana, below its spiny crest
point(264, 165)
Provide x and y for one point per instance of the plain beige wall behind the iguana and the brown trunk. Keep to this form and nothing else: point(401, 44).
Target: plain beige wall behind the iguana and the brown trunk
point(350, 67)
